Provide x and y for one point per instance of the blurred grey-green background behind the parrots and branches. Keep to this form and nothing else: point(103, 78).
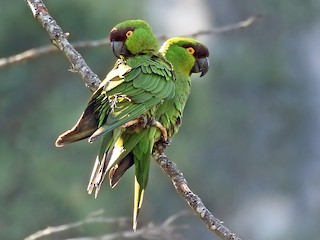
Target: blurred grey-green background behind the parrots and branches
point(249, 143)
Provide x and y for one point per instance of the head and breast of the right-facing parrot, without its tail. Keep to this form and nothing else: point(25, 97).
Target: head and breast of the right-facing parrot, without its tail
point(187, 56)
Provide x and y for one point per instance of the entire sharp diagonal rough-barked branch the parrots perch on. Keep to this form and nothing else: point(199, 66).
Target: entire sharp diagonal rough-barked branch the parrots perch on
point(58, 38)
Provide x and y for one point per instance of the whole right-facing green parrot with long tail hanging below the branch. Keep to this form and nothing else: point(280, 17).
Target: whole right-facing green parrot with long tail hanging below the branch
point(187, 56)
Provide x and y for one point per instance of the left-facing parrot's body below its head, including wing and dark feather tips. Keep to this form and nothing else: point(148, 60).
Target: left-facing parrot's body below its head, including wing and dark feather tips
point(132, 88)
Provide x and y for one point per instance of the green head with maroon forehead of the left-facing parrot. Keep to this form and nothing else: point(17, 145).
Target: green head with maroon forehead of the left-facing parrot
point(132, 37)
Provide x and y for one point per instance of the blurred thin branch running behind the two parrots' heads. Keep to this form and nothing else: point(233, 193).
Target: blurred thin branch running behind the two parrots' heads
point(40, 51)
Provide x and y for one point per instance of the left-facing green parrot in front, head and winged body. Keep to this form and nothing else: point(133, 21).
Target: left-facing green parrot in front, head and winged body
point(135, 44)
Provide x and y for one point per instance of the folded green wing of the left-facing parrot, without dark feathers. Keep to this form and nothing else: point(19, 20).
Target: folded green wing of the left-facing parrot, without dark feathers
point(147, 82)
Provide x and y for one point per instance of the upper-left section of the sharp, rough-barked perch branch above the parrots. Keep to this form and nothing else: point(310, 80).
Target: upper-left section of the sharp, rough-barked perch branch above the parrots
point(59, 39)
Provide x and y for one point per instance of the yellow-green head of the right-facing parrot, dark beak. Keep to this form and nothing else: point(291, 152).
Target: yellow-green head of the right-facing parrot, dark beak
point(186, 55)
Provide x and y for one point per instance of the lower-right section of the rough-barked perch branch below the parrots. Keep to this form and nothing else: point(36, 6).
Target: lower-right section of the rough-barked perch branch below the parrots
point(195, 203)
